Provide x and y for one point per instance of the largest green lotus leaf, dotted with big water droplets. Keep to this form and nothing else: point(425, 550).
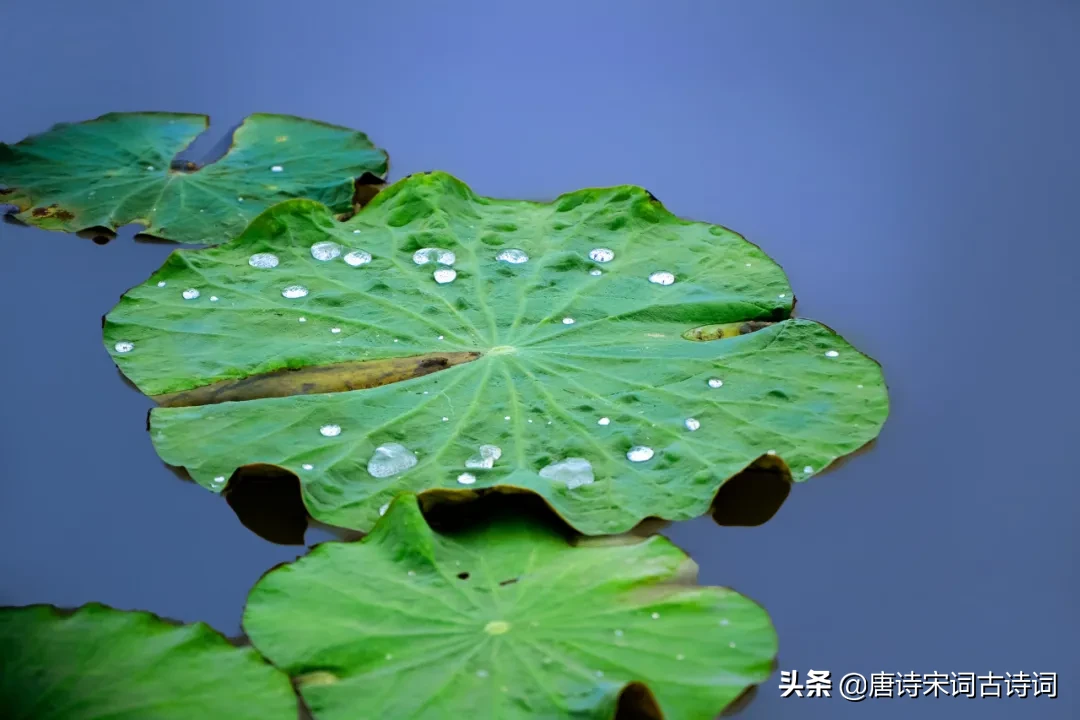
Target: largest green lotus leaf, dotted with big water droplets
point(566, 374)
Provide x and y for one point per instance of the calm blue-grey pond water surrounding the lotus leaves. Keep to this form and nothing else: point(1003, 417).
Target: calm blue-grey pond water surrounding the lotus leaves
point(915, 171)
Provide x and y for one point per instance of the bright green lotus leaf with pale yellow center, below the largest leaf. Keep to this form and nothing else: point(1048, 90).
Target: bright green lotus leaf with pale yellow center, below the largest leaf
point(507, 620)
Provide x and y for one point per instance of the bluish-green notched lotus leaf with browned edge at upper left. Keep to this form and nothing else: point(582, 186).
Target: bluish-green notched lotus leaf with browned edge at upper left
point(120, 169)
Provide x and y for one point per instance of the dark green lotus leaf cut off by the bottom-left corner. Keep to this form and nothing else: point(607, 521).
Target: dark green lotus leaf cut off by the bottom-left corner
point(105, 664)
